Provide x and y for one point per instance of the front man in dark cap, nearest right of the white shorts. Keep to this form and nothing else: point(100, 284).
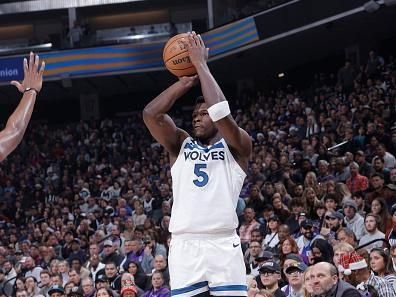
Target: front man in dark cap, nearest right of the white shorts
point(270, 275)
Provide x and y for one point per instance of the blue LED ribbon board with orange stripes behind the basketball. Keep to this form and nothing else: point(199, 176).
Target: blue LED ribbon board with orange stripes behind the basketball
point(116, 59)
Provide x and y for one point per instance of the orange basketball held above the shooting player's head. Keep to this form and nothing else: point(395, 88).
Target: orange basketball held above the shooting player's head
point(176, 57)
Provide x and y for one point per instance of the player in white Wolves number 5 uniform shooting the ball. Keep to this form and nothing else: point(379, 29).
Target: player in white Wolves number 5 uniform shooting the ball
point(208, 171)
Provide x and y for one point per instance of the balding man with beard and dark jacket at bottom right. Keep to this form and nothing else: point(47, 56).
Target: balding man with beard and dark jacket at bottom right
point(325, 282)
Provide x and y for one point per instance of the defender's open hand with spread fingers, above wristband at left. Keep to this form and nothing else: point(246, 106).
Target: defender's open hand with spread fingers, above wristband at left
point(33, 76)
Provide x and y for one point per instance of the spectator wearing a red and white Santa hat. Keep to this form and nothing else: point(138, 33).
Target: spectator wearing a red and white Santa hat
point(356, 270)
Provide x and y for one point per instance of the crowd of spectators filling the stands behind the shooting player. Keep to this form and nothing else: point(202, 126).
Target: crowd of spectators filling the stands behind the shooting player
point(85, 208)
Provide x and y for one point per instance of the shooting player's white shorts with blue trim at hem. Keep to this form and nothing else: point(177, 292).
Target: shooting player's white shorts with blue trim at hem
point(207, 263)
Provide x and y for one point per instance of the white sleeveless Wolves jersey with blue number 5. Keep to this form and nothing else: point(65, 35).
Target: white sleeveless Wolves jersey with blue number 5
point(206, 182)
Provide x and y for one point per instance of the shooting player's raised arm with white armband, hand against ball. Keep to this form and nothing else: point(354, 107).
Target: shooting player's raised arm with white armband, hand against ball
point(218, 108)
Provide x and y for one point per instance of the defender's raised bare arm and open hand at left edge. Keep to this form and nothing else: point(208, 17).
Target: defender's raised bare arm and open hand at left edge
point(12, 134)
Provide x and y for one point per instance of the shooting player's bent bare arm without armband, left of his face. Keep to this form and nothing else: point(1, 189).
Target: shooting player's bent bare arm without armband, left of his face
point(161, 126)
